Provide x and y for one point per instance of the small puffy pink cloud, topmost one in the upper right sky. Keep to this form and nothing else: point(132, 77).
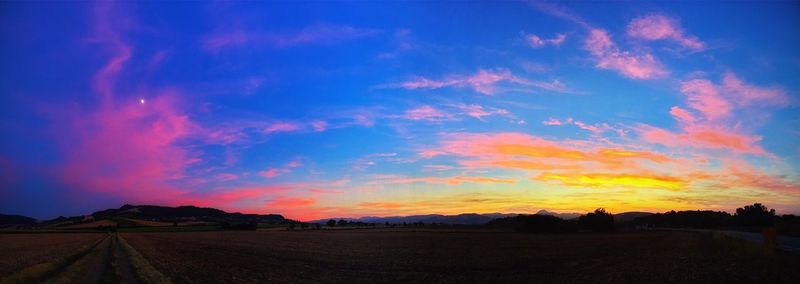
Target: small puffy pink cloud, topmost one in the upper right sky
point(659, 27)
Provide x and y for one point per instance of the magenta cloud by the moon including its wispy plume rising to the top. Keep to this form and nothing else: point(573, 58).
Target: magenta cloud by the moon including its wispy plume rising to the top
point(132, 144)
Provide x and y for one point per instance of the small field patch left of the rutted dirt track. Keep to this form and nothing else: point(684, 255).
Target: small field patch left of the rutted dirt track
point(18, 251)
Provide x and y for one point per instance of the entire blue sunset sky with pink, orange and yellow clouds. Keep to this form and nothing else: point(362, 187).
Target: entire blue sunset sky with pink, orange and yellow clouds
point(344, 109)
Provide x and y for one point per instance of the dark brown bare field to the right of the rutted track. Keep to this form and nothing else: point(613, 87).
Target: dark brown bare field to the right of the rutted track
point(449, 256)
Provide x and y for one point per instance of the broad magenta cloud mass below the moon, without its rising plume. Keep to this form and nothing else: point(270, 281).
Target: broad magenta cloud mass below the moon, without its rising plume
point(131, 149)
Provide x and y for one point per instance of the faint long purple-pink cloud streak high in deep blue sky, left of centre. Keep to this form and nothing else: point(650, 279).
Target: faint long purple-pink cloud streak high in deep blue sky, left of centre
point(317, 34)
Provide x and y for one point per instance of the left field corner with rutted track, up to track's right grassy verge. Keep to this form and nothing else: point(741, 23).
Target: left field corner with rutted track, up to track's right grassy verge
point(73, 258)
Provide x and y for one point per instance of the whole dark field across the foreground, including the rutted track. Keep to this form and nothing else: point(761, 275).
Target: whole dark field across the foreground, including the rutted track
point(389, 255)
